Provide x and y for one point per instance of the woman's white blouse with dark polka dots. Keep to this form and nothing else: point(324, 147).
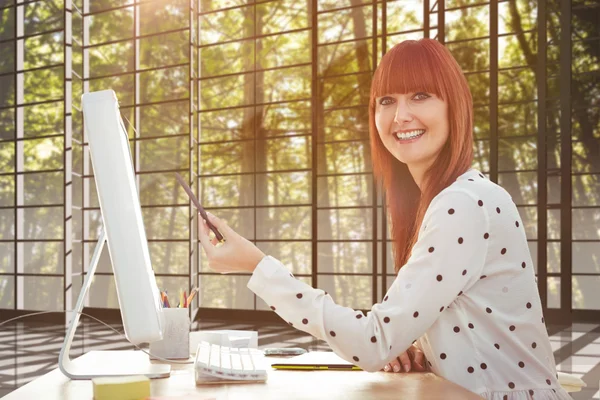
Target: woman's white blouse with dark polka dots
point(467, 296)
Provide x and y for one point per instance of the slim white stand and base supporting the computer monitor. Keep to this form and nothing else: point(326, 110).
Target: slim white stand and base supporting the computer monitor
point(104, 363)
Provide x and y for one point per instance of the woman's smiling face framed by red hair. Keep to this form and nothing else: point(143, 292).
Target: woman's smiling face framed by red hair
point(412, 126)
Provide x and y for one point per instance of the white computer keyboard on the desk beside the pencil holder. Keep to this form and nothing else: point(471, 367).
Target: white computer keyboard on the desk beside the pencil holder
point(220, 364)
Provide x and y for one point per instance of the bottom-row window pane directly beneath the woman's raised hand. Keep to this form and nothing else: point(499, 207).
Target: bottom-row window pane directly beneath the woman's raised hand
point(225, 292)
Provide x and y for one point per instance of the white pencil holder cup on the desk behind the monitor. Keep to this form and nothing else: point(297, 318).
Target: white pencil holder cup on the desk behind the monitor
point(176, 335)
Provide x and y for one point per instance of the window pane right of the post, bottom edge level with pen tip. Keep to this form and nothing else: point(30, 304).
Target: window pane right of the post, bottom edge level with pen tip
point(227, 158)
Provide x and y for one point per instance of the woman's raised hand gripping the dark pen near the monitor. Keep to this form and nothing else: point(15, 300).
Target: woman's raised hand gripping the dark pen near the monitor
point(236, 254)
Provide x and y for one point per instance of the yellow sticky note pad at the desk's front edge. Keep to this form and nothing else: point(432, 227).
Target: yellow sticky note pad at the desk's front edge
point(121, 388)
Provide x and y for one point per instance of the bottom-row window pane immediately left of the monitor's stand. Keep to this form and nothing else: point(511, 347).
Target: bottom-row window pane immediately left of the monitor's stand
point(42, 292)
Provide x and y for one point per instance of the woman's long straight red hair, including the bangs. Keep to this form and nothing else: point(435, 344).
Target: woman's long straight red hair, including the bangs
point(412, 66)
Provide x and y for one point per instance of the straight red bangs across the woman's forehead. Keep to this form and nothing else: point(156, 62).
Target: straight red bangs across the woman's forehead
point(407, 68)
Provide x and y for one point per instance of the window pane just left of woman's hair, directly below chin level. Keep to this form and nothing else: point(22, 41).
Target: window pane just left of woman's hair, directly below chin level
point(345, 190)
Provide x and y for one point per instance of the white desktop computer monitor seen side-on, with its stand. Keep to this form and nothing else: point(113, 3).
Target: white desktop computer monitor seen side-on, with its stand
point(123, 231)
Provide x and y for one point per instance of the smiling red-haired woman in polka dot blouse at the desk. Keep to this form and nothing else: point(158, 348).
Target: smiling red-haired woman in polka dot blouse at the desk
point(465, 290)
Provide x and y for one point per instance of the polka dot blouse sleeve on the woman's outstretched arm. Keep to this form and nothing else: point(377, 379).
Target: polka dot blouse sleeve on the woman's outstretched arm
point(449, 254)
